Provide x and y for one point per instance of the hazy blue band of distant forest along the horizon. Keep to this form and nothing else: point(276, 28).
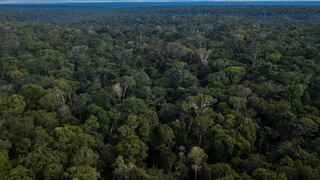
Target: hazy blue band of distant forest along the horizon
point(86, 14)
